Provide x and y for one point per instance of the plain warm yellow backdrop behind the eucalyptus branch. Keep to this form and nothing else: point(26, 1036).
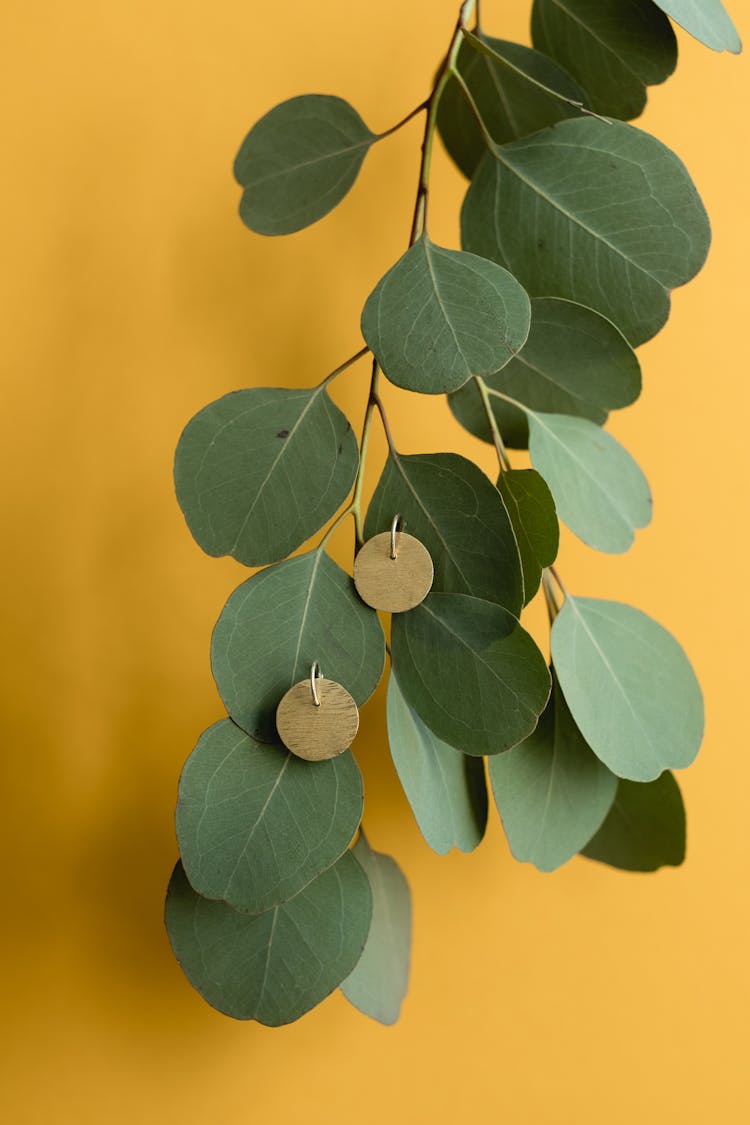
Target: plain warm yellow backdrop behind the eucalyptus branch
point(133, 296)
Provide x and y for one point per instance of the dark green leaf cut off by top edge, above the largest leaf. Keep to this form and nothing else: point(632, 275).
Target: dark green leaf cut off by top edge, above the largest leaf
point(613, 48)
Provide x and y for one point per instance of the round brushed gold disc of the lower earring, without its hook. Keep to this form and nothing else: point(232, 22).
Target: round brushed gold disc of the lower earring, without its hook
point(318, 733)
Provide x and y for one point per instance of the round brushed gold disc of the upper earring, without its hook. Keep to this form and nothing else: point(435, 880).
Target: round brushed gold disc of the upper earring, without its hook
point(393, 586)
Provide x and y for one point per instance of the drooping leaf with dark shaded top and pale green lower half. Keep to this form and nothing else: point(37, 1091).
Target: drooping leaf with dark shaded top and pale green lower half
point(553, 793)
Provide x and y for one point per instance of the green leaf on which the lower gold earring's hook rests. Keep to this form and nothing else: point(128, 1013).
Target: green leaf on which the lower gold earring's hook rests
point(278, 624)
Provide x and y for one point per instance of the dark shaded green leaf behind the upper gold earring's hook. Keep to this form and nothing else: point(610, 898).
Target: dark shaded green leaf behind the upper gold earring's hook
point(448, 503)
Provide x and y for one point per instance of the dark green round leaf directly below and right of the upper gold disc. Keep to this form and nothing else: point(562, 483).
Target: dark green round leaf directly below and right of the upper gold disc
point(471, 672)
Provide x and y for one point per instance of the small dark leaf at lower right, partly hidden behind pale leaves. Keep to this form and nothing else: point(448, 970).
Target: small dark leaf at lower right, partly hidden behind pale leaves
point(645, 830)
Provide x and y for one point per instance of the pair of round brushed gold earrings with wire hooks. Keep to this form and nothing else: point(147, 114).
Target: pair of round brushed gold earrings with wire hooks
point(318, 718)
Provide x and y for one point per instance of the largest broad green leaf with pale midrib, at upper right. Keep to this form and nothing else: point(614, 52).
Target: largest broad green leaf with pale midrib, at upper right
point(604, 215)
